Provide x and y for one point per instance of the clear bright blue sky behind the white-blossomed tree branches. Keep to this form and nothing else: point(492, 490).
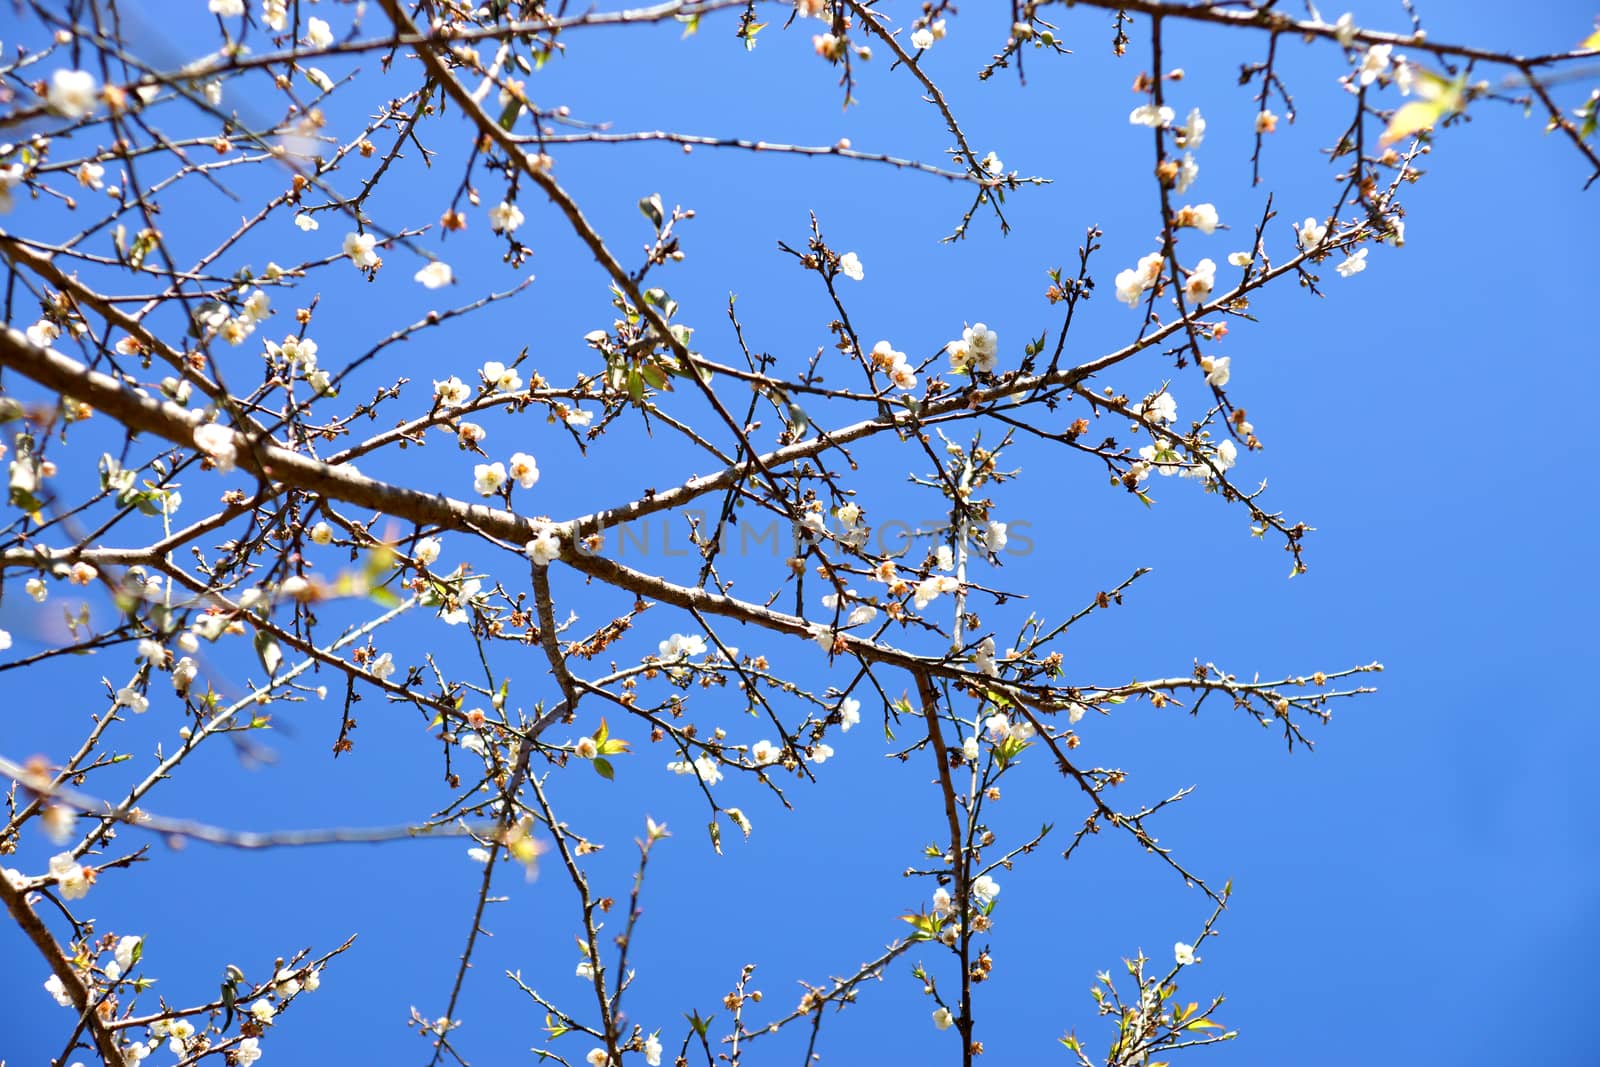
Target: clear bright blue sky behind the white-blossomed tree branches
point(1418, 889)
